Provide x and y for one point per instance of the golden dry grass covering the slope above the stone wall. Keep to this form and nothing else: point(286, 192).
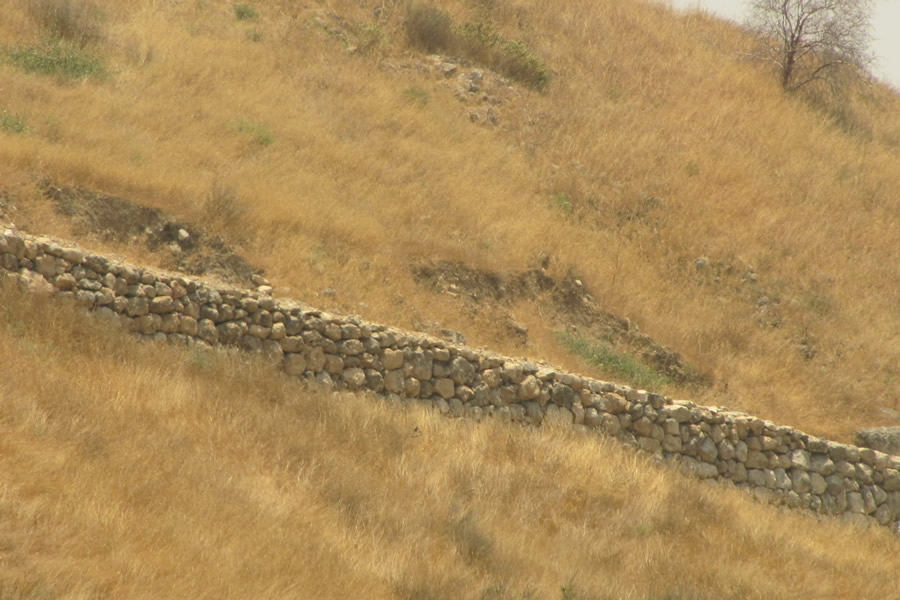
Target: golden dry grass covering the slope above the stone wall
point(358, 182)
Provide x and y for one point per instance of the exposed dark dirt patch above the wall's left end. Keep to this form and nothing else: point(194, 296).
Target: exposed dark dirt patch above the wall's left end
point(191, 248)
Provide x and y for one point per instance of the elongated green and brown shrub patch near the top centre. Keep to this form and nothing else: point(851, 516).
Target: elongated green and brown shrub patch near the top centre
point(433, 30)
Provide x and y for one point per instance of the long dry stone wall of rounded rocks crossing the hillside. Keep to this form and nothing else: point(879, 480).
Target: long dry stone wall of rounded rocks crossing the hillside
point(779, 464)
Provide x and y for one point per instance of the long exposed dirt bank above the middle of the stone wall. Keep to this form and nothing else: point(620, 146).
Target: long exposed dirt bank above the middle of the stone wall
point(570, 303)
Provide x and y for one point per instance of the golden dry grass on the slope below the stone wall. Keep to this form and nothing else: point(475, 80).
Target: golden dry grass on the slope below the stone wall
point(133, 470)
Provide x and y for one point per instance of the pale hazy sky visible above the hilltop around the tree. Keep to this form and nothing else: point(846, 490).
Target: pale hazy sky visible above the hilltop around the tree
point(885, 21)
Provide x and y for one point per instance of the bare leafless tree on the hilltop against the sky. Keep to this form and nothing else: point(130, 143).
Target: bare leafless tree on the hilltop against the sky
point(813, 40)
